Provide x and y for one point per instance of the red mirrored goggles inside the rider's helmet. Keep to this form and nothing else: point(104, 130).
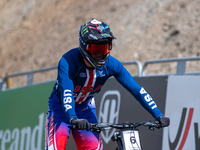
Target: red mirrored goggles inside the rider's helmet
point(99, 48)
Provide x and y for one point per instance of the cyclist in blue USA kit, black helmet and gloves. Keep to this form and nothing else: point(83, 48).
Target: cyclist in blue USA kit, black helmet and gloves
point(82, 72)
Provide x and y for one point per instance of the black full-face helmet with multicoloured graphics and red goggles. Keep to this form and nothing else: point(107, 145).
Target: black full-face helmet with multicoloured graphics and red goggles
point(95, 37)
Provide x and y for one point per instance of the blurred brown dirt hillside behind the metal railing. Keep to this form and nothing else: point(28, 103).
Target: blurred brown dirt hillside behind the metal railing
point(35, 34)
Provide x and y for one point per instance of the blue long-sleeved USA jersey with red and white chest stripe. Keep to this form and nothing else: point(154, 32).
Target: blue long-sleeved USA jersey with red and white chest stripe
point(77, 84)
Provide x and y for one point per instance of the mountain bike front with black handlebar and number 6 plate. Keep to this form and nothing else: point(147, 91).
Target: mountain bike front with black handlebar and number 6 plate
point(127, 136)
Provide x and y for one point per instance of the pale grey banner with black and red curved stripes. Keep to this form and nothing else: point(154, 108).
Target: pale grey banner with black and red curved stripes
point(183, 108)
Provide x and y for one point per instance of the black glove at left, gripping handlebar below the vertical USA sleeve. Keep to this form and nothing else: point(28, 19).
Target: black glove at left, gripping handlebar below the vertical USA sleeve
point(80, 124)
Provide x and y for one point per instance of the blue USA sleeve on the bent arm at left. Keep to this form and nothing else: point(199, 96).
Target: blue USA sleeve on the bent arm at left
point(66, 89)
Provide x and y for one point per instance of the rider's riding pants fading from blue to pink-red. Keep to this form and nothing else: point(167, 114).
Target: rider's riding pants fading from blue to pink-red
point(58, 131)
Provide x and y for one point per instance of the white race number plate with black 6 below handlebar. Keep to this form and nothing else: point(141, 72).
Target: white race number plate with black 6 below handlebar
point(131, 139)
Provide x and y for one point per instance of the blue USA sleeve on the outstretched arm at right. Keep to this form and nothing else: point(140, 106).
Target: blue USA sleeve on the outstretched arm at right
point(128, 82)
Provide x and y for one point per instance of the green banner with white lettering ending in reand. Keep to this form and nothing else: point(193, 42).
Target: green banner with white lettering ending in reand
point(23, 117)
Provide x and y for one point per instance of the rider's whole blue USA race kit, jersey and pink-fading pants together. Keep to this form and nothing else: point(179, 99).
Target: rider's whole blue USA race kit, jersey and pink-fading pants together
point(73, 97)
